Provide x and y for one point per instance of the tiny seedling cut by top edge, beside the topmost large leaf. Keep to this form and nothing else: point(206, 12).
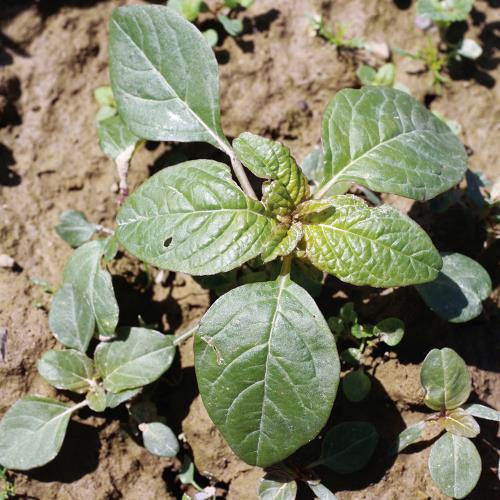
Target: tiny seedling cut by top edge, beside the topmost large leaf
point(191, 10)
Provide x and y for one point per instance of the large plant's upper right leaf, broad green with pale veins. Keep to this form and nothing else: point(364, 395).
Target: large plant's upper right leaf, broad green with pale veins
point(385, 140)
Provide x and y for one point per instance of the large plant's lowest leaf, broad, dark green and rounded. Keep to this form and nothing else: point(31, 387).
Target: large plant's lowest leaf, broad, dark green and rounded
point(261, 351)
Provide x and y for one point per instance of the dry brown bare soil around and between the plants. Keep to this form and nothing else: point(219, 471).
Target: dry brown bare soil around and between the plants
point(275, 80)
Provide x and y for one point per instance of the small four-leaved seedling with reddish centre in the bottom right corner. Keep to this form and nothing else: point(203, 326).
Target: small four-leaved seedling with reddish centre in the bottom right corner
point(454, 462)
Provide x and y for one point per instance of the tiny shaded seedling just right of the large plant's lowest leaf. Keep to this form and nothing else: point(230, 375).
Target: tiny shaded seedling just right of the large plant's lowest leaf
point(345, 327)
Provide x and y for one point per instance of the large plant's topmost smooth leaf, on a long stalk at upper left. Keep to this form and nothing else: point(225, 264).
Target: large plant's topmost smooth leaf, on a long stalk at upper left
point(164, 76)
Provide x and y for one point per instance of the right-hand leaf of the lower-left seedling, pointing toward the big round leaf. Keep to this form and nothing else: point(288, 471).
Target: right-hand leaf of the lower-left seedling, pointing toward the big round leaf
point(137, 357)
